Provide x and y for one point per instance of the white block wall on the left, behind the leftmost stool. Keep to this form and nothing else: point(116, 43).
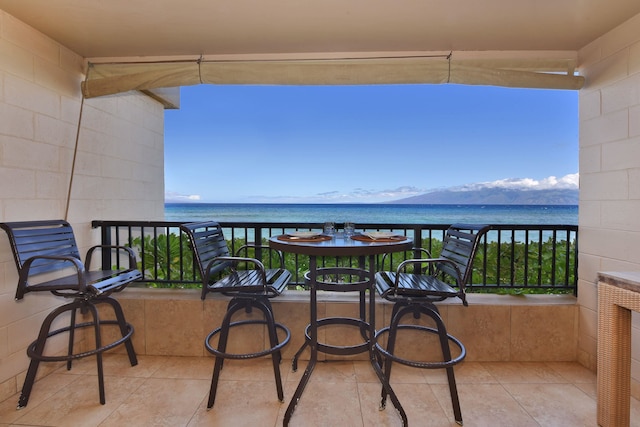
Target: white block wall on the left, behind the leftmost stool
point(118, 172)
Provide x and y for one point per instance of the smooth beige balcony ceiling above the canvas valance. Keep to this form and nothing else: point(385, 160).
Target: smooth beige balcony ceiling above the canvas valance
point(138, 28)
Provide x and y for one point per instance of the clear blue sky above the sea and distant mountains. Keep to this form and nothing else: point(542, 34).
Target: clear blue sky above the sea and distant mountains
point(365, 144)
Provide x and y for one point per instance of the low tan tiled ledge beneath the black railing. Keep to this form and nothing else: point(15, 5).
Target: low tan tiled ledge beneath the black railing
point(492, 327)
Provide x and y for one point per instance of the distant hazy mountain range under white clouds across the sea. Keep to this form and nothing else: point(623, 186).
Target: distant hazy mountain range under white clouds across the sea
point(495, 196)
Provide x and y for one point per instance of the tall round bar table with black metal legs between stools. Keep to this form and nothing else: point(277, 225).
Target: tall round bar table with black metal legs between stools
point(355, 246)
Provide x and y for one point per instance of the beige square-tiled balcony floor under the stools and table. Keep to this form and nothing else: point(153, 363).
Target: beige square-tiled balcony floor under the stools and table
point(172, 391)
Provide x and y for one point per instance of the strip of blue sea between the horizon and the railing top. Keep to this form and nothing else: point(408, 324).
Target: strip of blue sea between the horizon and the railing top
point(373, 213)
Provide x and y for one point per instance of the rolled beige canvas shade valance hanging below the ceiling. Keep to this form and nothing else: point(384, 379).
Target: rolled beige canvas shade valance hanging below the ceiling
point(107, 79)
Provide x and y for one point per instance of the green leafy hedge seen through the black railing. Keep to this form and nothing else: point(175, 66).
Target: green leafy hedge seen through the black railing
point(170, 259)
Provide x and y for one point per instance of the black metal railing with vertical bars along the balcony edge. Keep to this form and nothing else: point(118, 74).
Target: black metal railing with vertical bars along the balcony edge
point(536, 258)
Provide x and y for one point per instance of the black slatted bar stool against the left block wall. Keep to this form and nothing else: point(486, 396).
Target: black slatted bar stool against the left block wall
point(49, 246)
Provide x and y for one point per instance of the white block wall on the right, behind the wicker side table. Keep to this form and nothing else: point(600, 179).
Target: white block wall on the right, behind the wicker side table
point(609, 175)
